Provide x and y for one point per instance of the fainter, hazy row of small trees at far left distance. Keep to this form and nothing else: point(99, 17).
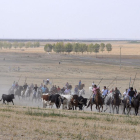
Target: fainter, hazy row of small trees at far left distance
point(9, 45)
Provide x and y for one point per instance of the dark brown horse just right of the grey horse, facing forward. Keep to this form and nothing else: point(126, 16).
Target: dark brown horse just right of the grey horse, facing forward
point(116, 101)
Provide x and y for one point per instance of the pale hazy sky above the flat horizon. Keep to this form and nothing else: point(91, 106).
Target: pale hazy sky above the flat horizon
point(74, 19)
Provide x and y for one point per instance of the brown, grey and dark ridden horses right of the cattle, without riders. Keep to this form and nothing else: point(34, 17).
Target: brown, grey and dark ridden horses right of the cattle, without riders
point(113, 100)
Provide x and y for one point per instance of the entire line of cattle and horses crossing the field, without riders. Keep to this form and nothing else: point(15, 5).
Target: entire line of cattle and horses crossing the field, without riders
point(73, 101)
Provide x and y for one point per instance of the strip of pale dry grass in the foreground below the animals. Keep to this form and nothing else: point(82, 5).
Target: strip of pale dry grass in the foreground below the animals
point(22, 125)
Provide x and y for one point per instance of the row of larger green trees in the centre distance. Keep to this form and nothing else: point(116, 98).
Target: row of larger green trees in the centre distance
point(77, 47)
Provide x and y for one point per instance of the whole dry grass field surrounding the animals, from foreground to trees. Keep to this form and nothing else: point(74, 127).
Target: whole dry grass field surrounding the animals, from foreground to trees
point(21, 122)
